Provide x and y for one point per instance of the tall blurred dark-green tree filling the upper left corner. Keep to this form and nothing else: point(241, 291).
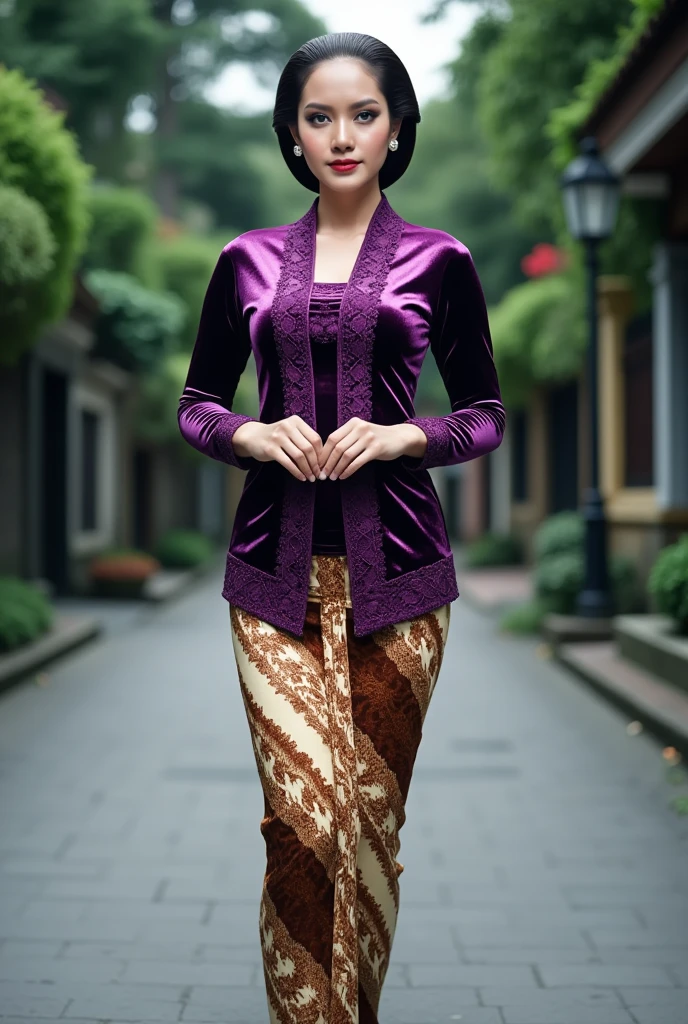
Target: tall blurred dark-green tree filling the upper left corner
point(105, 58)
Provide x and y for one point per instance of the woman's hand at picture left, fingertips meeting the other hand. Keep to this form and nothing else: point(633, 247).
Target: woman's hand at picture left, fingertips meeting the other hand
point(291, 442)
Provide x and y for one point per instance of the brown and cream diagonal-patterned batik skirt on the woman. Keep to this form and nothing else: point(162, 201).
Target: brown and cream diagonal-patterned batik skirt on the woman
point(336, 722)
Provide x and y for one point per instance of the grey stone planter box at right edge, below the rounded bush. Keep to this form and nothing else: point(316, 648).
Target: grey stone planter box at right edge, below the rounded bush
point(653, 643)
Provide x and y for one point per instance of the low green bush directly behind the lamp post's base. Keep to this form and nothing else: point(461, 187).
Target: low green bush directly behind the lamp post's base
point(560, 578)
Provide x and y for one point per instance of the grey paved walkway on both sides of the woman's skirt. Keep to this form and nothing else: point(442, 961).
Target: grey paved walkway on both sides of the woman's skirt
point(546, 881)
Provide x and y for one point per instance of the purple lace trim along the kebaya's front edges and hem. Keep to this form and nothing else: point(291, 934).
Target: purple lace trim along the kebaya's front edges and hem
point(373, 594)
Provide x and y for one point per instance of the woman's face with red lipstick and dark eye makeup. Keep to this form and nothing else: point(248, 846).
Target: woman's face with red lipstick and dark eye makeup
point(345, 116)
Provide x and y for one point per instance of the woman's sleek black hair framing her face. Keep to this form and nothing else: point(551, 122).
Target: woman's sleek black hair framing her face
point(394, 82)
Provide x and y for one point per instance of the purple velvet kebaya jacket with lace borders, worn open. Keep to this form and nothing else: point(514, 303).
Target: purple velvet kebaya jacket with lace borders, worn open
point(412, 288)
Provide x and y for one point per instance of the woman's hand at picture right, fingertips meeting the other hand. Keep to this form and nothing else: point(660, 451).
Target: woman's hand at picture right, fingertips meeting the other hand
point(359, 442)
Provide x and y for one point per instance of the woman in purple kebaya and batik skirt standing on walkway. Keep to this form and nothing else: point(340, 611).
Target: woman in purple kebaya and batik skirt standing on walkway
point(339, 574)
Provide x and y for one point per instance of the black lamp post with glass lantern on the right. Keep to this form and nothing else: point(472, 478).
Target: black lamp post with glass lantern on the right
point(591, 194)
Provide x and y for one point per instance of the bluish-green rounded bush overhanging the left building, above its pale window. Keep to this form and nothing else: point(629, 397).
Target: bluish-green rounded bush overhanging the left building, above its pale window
point(137, 327)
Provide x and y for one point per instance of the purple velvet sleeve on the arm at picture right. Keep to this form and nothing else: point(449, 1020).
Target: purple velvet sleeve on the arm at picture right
point(462, 347)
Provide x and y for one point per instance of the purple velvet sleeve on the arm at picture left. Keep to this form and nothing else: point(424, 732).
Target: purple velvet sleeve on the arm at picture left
point(221, 355)
